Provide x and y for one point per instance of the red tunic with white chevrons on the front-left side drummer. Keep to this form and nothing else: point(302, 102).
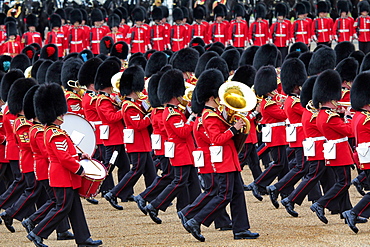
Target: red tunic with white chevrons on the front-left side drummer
point(63, 158)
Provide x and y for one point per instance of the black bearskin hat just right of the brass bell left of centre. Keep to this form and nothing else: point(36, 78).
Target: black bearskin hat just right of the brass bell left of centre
point(132, 80)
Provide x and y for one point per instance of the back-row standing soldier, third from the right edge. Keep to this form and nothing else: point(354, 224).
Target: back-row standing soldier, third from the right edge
point(322, 26)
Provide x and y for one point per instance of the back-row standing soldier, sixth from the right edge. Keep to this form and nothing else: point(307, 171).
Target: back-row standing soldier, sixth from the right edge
point(259, 29)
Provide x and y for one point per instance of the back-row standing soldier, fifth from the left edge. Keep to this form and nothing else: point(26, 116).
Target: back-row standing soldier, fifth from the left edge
point(97, 31)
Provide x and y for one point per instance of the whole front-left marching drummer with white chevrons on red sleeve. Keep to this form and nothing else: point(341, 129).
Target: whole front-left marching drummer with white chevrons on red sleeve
point(64, 172)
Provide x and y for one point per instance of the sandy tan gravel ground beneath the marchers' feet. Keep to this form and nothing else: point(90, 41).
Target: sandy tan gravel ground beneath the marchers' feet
point(130, 227)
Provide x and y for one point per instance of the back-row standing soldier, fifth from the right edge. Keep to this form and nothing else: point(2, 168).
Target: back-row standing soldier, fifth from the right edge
point(280, 30)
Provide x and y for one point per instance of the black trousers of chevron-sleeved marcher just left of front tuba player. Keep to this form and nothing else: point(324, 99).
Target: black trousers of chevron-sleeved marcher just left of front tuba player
point(182, 175)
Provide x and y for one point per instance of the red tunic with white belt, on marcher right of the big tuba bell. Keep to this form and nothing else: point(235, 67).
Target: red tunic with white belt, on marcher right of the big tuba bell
point(272, 113)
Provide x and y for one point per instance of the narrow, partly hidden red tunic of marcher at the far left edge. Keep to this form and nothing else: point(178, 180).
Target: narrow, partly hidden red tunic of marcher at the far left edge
point(11, 147)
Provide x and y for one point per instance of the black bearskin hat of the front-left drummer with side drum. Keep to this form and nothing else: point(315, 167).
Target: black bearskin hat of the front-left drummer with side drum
point(49, 103)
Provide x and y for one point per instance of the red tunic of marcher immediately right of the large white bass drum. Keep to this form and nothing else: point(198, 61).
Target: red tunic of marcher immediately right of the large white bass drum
point(91, 114)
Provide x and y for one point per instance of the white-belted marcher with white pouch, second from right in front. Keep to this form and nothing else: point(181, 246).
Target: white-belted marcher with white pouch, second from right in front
point(337, 151)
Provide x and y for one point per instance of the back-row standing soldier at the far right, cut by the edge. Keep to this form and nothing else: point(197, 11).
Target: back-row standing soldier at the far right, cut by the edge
point(362, 27)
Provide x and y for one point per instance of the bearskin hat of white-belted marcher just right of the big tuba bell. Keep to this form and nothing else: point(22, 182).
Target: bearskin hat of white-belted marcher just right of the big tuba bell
point(265, 81)
